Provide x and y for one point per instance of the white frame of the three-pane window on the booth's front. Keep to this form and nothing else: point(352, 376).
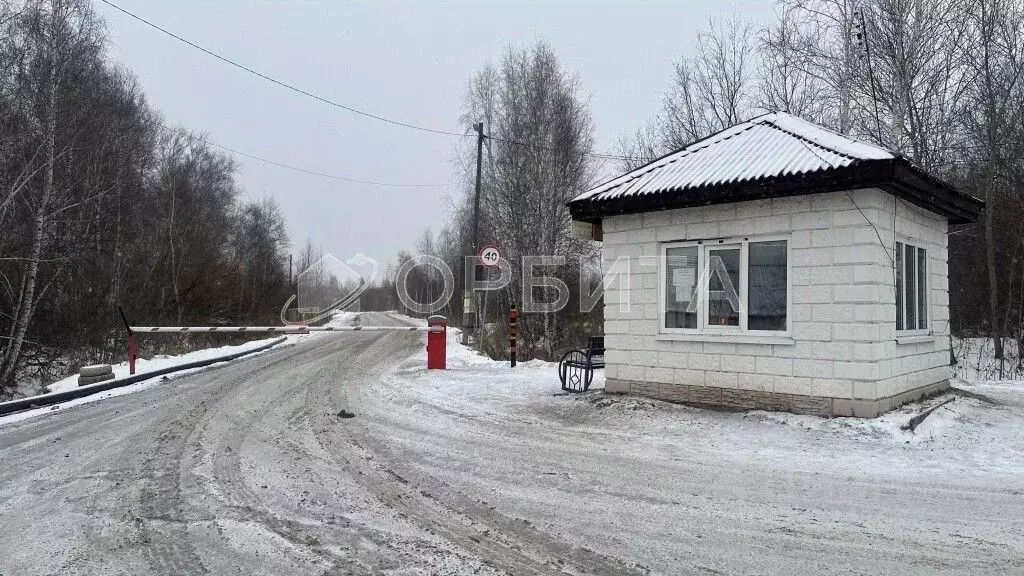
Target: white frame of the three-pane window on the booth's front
point(705, 246)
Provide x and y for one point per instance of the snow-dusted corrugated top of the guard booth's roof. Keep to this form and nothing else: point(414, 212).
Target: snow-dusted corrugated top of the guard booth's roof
point(770, 146)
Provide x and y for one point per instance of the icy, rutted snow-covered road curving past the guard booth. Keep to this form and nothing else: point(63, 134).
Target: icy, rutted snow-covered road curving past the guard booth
point(249, 470)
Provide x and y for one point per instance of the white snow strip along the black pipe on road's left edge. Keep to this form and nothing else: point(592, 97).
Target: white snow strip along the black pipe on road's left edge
point(158, 362)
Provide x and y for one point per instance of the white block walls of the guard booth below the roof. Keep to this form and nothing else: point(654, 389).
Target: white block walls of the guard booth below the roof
point(842, 343)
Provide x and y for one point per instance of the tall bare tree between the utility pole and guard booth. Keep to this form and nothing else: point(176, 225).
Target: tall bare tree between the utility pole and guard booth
point(540, 135)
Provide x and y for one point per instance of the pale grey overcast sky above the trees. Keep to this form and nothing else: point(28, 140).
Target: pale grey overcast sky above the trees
point(408, 61)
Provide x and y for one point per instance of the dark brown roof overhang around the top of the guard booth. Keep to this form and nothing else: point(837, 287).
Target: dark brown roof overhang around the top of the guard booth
point(897, 177)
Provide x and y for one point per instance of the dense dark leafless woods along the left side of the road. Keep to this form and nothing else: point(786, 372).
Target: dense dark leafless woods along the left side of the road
point(102, 205)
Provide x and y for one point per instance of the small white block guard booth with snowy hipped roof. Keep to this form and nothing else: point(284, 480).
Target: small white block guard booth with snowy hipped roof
point(815, 238)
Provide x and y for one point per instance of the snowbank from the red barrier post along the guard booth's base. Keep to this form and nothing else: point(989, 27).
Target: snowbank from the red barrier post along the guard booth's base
point(478, 386)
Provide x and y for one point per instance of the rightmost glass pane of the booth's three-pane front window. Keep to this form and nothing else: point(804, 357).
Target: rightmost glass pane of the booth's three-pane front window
point(766, 280)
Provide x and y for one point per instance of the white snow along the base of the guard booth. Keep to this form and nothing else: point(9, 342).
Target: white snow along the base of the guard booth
point(968, 424)
